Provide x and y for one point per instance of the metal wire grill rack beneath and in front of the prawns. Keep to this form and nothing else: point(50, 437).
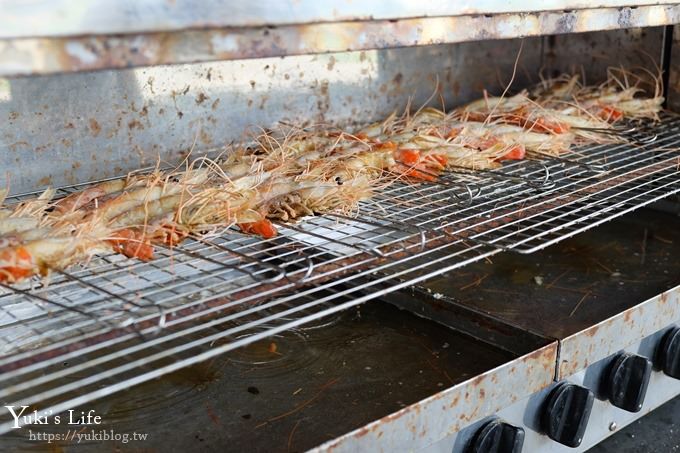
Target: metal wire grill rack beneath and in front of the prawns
point(117, 322)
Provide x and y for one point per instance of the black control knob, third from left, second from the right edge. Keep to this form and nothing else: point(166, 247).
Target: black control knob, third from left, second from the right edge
point(626, 382)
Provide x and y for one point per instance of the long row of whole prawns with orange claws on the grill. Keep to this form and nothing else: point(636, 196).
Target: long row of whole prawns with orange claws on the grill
point(287, 174)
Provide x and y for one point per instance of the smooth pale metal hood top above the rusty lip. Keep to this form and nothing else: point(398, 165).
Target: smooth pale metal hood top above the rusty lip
point(83, 17)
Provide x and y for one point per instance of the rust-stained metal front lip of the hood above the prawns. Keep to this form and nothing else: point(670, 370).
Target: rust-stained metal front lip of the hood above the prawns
point(35, 55)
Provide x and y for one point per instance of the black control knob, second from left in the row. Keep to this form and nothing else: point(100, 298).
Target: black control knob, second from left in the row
point(566, 412)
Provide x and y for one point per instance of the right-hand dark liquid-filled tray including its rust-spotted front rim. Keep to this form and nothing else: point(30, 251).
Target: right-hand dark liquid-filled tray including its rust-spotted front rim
point(596, 293)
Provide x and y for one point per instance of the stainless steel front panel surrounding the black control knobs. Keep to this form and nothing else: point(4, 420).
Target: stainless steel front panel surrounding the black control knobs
point(526, 413)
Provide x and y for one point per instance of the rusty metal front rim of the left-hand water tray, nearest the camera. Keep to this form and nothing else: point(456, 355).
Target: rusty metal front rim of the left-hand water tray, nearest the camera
point(441, 415)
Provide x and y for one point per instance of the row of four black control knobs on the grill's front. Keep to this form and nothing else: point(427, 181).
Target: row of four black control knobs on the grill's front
point(566, 410)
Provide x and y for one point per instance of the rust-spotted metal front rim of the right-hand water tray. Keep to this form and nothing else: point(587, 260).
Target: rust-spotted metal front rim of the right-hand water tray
point(590, 345)
